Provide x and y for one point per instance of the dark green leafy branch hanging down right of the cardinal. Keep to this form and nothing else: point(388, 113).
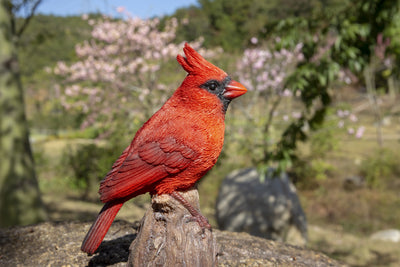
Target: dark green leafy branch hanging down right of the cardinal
point(330, 41)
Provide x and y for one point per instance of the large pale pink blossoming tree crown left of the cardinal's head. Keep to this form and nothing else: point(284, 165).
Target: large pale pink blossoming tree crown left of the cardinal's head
point(118, 64)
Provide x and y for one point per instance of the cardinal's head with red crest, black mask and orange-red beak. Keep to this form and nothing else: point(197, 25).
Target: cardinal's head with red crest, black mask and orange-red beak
point(205, 80)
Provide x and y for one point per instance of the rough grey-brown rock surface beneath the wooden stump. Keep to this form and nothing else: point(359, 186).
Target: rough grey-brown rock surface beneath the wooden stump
point(58, 244)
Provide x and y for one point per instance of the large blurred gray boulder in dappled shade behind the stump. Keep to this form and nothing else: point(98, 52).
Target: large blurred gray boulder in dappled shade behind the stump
point(262, 208)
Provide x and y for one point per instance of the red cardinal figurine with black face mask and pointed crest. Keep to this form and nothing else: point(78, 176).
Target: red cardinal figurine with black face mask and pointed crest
point(174, 148)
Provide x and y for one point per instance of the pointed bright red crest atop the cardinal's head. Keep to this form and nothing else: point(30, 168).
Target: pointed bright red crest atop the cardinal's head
point(195, 64)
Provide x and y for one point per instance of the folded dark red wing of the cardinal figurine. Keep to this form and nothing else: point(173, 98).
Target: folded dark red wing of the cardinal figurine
point(135, 172)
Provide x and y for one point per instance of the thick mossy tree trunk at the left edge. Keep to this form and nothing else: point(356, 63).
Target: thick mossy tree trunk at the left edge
point(20, 201)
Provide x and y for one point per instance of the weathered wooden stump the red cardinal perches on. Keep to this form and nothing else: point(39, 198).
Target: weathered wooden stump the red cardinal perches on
point(168, 237)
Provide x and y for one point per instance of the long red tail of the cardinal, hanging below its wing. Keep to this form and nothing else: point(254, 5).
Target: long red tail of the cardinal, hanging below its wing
point(99, 229)
